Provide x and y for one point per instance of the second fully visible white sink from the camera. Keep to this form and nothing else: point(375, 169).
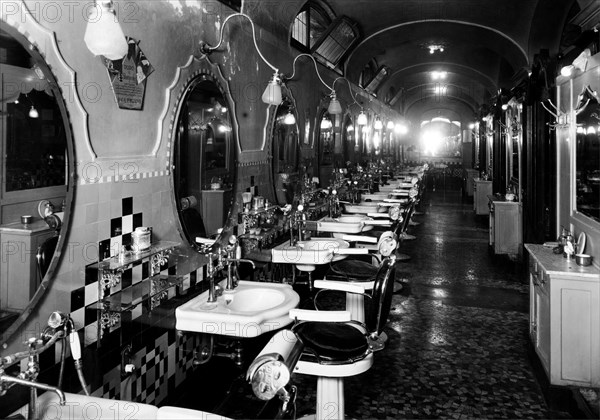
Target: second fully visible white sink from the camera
point(307, 254)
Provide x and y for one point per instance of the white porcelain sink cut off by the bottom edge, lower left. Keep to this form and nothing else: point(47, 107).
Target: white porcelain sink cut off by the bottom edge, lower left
point(79, 406)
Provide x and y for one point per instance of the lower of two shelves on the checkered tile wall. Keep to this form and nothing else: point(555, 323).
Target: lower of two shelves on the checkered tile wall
point(130, 297)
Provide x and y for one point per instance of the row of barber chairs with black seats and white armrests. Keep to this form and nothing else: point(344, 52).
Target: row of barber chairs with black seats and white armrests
point(332, 345)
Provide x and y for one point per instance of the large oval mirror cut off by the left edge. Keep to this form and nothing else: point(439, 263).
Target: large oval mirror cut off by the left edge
point(35, 193)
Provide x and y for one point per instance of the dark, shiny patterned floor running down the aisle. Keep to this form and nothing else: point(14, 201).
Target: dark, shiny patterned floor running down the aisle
point(458, 336)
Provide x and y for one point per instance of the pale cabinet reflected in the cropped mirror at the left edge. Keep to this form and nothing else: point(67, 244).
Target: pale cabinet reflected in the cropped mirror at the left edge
point(19, 277)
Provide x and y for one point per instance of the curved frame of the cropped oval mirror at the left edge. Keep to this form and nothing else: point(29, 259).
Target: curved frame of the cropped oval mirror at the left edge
point(42, 46)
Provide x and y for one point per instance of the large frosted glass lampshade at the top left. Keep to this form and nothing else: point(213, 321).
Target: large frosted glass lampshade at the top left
point(103, 34)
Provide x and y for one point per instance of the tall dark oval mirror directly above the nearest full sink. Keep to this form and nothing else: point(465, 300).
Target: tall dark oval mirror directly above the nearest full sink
point(204, 157)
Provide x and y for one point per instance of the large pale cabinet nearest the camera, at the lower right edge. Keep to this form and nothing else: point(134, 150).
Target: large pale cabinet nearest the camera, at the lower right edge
point(564, 316)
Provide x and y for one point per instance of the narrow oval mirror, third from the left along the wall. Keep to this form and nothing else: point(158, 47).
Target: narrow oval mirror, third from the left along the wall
point(285, 150)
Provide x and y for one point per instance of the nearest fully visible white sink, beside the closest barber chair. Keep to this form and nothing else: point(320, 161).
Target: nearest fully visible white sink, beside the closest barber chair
point(252, 309)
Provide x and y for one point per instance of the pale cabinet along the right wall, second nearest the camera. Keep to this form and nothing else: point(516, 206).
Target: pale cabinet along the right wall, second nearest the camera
point(505, 223)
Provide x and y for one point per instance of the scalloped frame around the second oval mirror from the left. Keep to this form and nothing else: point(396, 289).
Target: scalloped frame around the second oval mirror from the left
point(186, 78)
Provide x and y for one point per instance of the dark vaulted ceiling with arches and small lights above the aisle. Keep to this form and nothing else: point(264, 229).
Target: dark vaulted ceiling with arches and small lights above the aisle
point(487, 45)
